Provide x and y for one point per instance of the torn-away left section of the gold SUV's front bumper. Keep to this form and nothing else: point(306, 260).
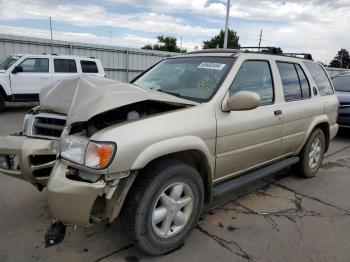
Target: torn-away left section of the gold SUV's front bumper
point(27, 158)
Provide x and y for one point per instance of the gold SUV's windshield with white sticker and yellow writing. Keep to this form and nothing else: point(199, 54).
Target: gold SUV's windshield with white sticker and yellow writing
point(193, 78)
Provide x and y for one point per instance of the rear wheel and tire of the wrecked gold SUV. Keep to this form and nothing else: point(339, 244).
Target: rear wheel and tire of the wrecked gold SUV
point(314, 146)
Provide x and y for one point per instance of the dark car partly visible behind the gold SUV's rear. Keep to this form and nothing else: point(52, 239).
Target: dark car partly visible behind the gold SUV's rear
point(342, 87)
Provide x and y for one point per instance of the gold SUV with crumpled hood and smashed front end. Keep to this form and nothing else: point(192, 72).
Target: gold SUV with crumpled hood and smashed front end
point(155, 151)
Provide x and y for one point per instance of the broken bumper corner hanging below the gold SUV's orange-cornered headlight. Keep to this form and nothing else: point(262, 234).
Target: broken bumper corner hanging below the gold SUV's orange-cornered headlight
point(74, 200)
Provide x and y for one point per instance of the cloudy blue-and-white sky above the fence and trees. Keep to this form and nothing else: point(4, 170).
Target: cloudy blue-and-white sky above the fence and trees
point(320, 27)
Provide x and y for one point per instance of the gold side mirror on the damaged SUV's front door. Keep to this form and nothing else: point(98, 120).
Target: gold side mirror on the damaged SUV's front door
point(242, 100)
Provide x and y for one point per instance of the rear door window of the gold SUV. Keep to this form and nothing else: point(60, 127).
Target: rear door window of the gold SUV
point(290, 81)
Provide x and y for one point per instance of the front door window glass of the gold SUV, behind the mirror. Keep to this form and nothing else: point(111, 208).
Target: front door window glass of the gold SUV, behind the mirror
point(255, 76)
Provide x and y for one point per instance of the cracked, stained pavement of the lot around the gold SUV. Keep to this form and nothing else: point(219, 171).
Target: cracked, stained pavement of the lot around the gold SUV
point(289, 219)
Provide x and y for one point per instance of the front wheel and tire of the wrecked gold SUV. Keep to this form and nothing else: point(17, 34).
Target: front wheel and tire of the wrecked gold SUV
point(139, 218)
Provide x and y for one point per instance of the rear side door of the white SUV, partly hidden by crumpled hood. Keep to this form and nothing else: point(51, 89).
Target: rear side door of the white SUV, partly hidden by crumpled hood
point(63, 68)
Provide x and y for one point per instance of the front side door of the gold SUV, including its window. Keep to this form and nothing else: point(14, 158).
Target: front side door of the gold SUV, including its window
point(250, 138)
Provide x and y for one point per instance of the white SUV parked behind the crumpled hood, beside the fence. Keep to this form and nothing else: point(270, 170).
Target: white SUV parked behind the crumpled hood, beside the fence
point(22, 75)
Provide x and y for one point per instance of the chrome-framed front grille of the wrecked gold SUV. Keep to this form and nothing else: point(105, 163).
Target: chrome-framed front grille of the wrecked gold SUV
point(45, 125)
